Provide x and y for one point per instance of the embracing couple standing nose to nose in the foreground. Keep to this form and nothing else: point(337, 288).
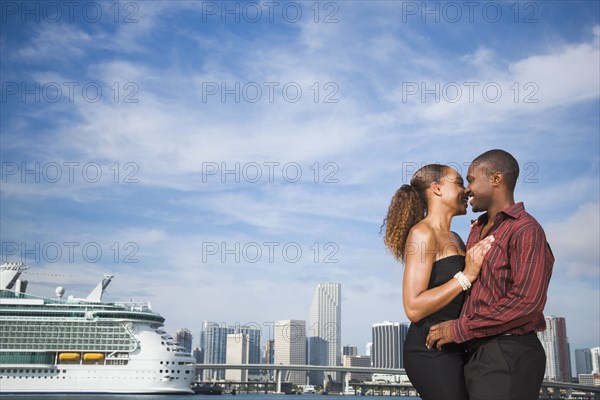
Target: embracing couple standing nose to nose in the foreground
point(474, 309)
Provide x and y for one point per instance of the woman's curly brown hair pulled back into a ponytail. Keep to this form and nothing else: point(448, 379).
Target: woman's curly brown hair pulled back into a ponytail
point(408, 207)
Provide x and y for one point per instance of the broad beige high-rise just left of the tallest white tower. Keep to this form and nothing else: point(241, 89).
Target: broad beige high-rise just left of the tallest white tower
point(290, 348)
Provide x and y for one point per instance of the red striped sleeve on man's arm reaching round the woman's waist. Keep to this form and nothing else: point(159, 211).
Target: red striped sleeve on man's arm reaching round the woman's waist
point(531, 262)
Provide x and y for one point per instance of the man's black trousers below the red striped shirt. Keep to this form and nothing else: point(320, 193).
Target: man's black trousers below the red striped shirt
point(505, 367)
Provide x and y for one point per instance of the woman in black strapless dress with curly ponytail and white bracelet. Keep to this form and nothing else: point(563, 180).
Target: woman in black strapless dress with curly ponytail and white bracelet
point(436, 275)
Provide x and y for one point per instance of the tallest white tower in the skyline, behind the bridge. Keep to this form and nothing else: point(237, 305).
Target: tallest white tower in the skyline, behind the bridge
point(324, 337)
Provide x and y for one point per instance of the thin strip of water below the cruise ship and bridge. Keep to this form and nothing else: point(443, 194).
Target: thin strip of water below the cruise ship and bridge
point(239, 396)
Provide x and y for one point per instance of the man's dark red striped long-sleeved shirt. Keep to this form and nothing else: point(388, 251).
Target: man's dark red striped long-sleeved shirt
point(510, 294)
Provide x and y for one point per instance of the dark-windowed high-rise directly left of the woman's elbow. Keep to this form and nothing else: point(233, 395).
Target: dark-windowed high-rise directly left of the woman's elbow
point(388, 344)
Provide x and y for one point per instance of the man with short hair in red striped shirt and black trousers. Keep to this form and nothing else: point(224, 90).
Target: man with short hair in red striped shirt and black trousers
point(503, 310)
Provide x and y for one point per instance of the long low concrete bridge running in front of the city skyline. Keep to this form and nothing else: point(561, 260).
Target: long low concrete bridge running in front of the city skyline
point(589, 392)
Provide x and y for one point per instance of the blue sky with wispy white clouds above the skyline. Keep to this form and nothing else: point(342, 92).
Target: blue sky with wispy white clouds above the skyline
point(223, 158)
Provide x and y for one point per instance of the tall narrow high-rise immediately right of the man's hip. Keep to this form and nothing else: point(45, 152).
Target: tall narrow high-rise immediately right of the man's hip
point(556, 345)
